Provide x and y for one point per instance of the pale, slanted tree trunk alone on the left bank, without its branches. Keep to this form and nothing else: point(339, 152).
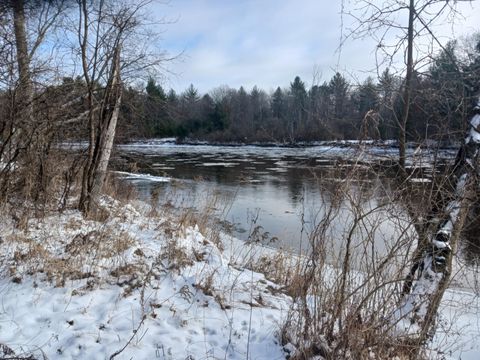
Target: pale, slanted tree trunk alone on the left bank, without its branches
point(95, 170)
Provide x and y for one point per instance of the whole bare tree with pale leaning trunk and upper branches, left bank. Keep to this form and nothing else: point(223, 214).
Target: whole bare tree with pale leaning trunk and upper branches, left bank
point(105, 29)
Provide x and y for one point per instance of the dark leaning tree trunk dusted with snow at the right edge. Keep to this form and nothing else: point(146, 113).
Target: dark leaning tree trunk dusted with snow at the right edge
point(420, 305)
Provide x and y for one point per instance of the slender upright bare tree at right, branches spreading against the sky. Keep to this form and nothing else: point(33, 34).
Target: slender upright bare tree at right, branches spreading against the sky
point(392, 36)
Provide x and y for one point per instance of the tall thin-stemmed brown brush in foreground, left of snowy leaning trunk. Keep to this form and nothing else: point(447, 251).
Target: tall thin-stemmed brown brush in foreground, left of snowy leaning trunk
point(345, 289)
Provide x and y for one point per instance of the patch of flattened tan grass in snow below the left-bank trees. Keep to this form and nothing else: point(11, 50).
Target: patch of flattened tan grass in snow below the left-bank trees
point(58, 251)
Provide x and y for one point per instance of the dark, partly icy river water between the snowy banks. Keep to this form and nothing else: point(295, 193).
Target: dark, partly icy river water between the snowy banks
point(286, 191)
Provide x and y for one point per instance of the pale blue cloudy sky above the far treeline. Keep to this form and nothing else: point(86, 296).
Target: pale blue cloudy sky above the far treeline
point(269, 42)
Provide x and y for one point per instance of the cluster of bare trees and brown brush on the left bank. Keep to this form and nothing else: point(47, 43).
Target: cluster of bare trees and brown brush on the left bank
point(62, 72)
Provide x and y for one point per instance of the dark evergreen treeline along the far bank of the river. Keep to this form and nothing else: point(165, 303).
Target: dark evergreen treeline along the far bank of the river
point(334, 109)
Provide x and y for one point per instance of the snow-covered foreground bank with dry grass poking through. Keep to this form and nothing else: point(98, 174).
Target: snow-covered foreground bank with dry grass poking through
point(143, 287)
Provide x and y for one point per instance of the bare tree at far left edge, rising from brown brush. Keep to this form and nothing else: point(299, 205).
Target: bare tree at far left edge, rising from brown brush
point(24, 27)
